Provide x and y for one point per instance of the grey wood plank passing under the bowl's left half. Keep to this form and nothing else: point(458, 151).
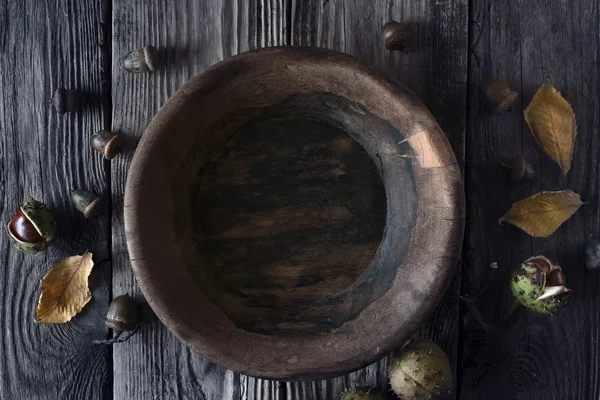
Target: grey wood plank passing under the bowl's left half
point(190, 36)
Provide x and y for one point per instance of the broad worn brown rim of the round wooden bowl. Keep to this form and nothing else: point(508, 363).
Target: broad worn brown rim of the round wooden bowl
point(166, 294)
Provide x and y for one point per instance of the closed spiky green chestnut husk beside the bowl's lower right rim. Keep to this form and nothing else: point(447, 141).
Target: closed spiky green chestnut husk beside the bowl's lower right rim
point(420, 370)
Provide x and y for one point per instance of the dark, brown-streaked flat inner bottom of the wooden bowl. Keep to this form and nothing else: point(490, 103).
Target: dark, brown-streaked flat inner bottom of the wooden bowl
point(288, 213)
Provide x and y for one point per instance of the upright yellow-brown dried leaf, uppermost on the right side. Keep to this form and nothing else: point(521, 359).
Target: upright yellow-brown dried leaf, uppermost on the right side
point(552, 122)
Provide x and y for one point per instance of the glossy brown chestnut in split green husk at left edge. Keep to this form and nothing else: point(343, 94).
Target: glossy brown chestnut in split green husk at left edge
point(32, 228)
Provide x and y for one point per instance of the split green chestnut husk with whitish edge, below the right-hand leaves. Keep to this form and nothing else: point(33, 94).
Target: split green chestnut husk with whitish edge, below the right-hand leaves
point(540, 285)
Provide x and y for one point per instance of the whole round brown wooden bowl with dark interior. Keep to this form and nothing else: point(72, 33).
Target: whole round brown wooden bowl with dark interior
point(291, 213)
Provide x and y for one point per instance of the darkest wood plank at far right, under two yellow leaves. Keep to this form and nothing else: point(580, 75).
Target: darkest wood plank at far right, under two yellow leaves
point(537, 356)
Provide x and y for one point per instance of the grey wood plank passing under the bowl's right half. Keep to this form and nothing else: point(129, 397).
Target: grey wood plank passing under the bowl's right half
point(435, 70)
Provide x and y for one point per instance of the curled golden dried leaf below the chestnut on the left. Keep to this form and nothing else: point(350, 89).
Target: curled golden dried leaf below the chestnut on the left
point(65, 289)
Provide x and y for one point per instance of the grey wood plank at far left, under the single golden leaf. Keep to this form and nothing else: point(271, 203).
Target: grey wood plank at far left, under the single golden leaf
point(44, 45)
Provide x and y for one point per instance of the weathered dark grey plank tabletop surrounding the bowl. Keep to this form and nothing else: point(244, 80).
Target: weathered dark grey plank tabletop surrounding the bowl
point(455, 47)
